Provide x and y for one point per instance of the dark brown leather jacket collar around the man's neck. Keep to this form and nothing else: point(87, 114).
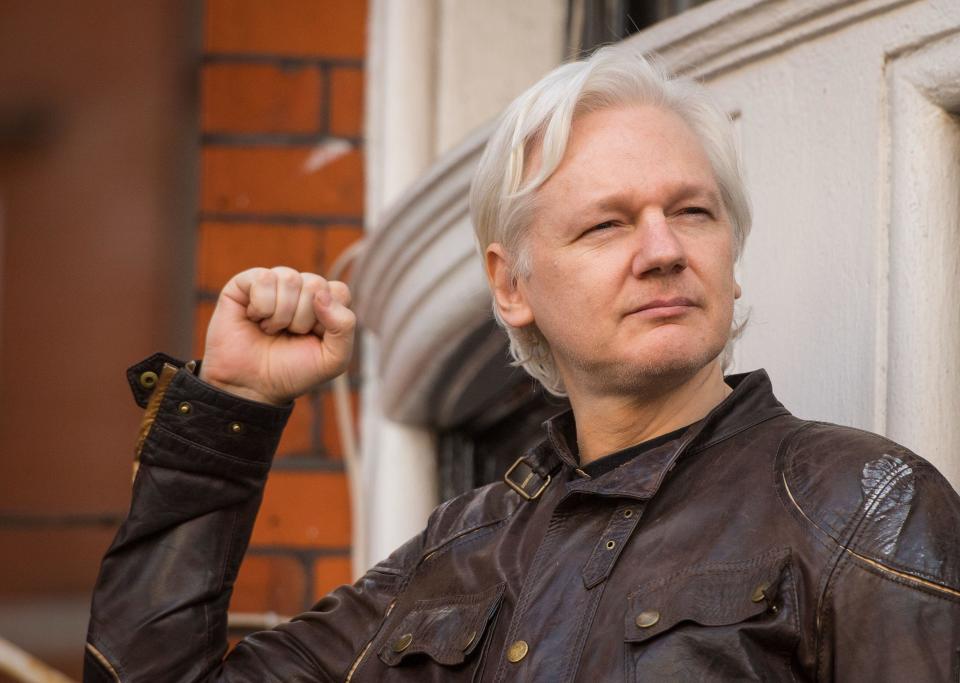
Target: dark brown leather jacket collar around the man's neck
point(751, 402)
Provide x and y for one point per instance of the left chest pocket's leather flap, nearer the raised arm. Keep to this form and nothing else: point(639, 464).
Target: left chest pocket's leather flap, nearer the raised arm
point(446, 629)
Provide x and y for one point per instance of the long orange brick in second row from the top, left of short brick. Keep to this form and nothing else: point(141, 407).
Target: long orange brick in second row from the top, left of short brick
point(253, 98)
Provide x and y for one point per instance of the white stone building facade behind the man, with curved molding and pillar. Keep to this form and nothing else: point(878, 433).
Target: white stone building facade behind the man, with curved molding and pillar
point(848, 112)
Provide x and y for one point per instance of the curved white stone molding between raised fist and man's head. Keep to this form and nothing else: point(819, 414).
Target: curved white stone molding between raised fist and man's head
point(420, 285)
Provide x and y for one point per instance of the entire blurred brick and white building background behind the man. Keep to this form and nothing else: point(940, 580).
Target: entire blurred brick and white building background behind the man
point(149, 150)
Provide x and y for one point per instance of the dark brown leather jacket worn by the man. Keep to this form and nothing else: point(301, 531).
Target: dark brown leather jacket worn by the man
point(757, 546)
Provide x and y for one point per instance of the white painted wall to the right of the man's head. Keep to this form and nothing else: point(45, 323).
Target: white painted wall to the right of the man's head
point(853, 165)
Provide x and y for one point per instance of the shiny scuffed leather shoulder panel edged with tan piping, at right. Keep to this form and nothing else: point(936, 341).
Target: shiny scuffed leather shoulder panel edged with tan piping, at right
point(874, 498)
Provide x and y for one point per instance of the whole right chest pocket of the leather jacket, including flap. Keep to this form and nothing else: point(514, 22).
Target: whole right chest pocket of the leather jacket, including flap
point(715, 622)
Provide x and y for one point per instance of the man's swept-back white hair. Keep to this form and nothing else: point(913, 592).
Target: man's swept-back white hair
point(502, 197)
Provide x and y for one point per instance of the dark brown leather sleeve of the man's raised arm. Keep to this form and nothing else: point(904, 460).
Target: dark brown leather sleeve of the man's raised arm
point(160, 604)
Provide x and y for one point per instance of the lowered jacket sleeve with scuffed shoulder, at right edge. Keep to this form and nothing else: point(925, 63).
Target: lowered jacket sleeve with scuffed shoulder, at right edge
point(889, 606)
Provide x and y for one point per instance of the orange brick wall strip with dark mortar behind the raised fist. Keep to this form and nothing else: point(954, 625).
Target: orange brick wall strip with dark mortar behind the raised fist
point(282, 184)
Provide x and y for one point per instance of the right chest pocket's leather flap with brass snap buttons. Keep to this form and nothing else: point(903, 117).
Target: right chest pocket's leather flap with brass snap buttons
point(715, 594)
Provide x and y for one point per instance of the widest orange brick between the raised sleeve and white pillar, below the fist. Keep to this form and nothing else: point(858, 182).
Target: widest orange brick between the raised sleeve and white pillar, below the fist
point(304, 509)
